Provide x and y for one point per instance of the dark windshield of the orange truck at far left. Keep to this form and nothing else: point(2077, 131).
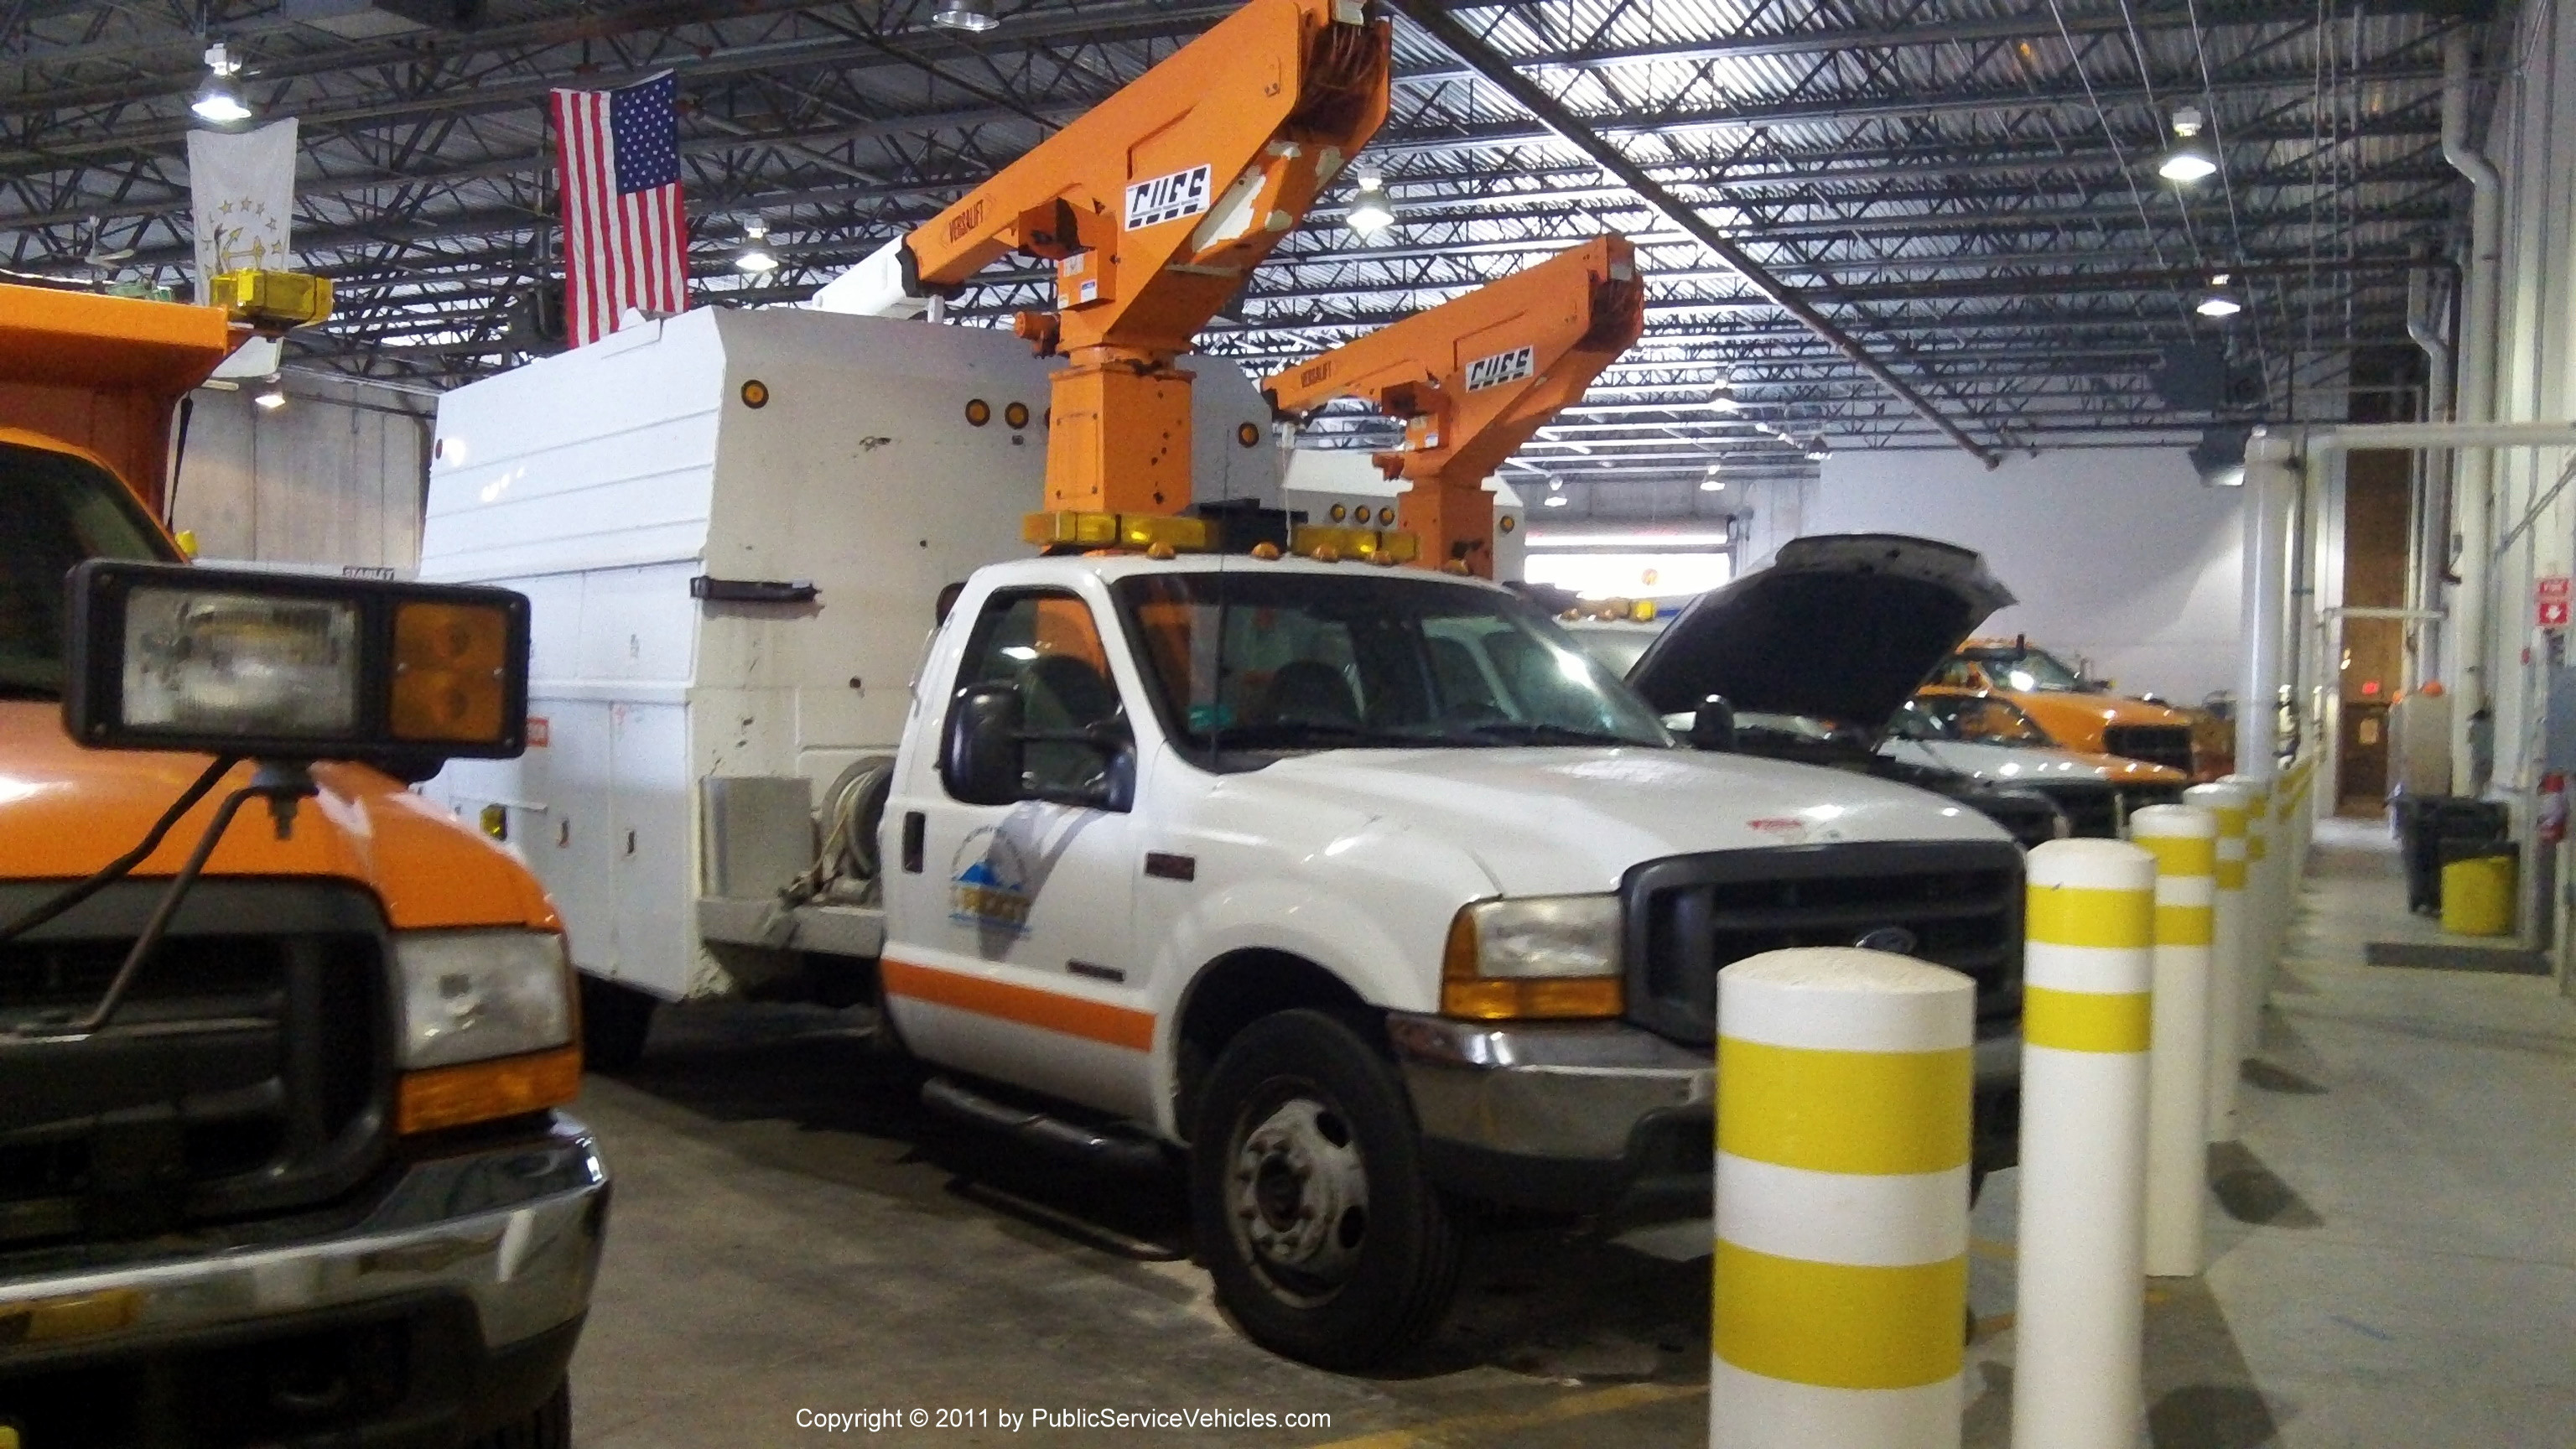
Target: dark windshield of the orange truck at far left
point(55, 509)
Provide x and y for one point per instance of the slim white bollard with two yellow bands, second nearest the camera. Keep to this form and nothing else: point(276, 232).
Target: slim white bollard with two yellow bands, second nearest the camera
point(2078, 1378)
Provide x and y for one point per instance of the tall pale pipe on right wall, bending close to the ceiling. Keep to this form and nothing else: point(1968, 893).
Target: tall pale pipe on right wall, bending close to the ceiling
point(2474, 501)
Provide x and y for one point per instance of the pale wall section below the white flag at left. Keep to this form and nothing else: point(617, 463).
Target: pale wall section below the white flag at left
point(334, 478)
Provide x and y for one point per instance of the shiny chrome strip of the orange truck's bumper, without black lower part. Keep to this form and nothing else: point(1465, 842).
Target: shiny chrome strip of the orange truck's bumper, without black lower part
point(514, 1231)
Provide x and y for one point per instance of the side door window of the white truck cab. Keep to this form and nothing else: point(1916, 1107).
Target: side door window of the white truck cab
point(1047, 648)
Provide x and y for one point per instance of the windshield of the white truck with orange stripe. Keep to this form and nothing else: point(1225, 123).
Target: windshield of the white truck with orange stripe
point(1271, 661)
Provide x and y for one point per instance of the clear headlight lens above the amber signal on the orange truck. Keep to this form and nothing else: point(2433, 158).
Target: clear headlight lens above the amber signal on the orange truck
point(470, 997)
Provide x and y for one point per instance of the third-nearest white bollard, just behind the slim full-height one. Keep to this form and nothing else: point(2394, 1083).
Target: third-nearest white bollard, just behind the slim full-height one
point(2178, 1061)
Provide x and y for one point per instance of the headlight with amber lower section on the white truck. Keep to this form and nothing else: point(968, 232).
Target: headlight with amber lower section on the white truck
point(1555, 955)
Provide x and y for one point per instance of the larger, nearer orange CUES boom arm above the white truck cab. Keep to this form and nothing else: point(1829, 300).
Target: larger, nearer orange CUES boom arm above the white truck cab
point(1155, 208)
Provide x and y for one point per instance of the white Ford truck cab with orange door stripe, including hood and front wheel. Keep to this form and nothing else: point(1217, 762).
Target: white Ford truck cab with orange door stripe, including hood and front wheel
point(1374, 893)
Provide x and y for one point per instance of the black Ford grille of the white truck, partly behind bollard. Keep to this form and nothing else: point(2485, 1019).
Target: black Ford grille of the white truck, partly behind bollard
point(1689, 917)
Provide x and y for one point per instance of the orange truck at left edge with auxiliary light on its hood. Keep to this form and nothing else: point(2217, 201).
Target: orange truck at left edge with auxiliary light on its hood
point(282, 1043)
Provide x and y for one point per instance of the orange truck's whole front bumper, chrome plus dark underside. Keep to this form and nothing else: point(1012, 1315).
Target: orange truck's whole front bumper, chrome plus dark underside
point(444, 1311)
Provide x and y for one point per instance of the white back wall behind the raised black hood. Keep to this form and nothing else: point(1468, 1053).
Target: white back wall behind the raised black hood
point(2114, 553)
